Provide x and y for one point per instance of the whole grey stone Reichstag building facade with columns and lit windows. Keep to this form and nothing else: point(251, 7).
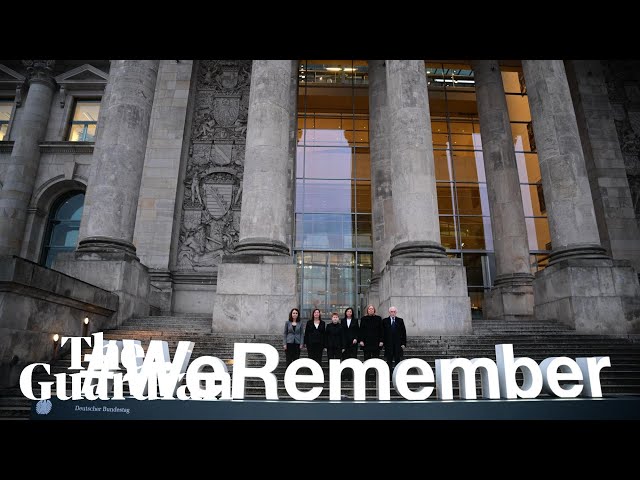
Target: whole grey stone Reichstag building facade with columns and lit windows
point(239, 189)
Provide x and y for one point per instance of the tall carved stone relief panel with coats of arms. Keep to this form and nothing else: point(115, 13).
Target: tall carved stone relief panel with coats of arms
point(213, 182)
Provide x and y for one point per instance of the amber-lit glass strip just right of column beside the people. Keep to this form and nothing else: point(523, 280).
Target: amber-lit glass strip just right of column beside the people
point(463, 202)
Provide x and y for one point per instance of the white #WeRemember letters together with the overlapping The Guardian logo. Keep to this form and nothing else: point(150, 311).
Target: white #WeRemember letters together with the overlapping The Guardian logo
point(154, 375)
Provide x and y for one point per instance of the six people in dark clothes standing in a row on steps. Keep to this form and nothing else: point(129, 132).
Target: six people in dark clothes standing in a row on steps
point(342, 337)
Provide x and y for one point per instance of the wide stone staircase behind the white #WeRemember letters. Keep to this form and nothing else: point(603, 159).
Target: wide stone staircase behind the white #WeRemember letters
point(537, 340)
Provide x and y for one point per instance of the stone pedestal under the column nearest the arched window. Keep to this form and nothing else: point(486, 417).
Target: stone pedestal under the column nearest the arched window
point(117, 271)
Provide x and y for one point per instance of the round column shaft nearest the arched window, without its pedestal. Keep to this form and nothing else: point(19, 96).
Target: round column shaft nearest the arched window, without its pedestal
point(111, 202)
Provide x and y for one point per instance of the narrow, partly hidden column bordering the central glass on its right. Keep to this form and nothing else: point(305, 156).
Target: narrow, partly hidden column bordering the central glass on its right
point(381, 199)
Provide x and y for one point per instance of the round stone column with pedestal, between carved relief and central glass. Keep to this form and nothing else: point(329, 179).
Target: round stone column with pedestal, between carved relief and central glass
point(261, 276)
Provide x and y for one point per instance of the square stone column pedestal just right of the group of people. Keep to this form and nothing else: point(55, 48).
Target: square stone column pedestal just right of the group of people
point(429, 293)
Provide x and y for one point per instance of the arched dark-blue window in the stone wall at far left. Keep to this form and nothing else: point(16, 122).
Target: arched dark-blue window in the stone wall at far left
point(62, 226)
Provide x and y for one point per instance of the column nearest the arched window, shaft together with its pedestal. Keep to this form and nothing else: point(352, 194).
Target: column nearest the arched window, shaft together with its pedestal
point(106, 256)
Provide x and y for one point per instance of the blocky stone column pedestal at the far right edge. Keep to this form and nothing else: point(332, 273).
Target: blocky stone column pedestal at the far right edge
point(596, 296)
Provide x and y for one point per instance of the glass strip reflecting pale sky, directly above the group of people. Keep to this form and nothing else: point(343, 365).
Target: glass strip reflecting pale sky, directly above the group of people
point(333, 185)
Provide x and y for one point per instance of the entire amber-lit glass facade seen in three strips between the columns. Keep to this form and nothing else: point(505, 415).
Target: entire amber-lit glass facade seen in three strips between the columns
point(333, 240)
